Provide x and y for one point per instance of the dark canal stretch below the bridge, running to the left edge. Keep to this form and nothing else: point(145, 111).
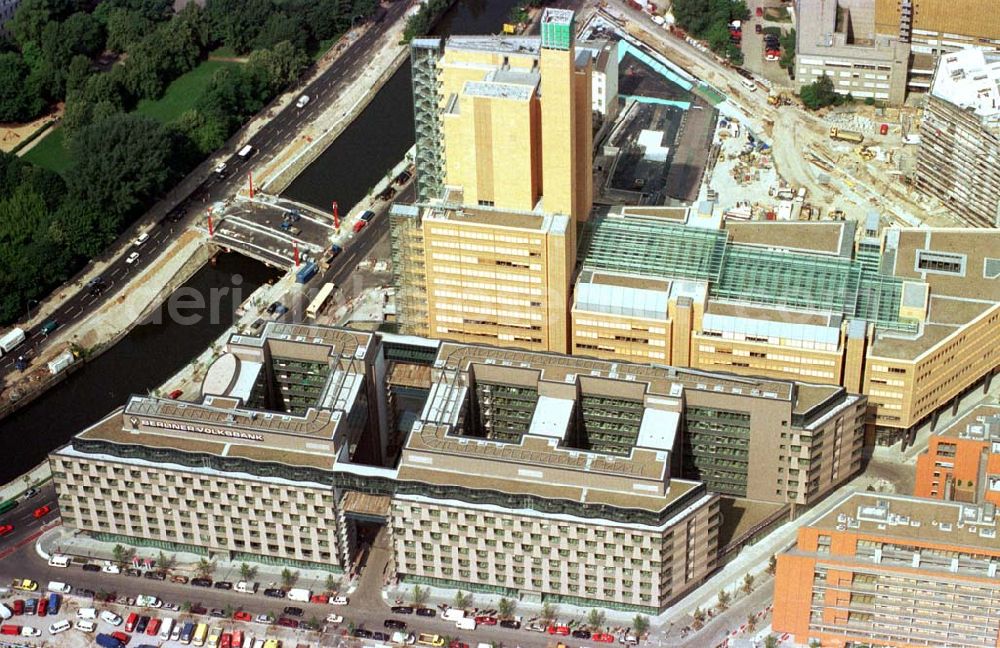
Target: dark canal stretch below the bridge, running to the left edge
point(140, 362)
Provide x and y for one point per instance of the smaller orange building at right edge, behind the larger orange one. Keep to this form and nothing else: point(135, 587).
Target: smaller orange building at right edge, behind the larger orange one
point(962, 462)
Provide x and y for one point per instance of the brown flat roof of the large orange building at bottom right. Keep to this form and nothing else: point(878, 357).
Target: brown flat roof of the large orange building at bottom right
point(915, 521)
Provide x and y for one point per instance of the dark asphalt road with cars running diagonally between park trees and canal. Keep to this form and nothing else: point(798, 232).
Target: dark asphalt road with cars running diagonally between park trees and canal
point(269, 141)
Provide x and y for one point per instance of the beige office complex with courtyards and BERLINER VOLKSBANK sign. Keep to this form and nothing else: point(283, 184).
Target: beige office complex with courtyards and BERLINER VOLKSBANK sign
point(530, 474)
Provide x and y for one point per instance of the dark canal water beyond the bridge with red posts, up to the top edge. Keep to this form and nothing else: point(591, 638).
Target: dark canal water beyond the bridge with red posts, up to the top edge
point(383, 132)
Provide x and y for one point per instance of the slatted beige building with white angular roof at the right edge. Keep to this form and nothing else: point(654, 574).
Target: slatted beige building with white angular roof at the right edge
point(960, 137)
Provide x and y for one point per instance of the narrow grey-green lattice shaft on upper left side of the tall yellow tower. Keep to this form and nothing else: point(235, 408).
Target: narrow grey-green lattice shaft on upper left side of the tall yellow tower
point(429, 160)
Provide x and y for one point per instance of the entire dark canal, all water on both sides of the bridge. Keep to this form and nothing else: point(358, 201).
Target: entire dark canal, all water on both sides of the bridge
point(151, 353)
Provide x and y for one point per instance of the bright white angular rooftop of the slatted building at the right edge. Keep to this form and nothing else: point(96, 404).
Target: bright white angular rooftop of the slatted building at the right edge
point(970, 79)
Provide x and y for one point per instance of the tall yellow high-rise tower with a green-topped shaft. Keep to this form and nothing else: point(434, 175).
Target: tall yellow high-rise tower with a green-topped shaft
point(504, 143)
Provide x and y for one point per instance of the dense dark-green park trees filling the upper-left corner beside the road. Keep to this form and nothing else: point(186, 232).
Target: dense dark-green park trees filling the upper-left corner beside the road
point(102, 62)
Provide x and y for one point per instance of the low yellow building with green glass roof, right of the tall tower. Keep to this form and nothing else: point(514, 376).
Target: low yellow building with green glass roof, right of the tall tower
point(912, 319)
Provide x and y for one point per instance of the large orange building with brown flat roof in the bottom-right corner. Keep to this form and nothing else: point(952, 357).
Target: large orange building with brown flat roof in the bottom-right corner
point(892, 570)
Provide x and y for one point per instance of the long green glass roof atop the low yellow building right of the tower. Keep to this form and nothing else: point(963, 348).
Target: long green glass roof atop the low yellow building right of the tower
point(853, 288)
